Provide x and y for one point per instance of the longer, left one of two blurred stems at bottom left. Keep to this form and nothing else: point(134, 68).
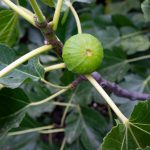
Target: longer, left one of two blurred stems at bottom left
point(30, 130)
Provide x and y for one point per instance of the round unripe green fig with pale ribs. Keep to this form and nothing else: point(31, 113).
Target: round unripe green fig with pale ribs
point(82, 53)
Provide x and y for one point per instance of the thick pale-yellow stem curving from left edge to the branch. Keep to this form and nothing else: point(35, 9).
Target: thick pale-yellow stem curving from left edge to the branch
point(23, 59)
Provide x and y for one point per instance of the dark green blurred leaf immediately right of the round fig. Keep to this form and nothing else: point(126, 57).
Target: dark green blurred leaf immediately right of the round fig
point(114, 60)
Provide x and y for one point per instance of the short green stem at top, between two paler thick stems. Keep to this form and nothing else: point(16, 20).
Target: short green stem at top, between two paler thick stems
point(37, 10)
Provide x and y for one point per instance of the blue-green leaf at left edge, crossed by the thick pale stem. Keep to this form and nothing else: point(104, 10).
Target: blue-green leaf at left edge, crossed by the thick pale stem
point(32, 70)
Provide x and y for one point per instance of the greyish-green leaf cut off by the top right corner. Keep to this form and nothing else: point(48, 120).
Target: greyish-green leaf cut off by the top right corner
point(146, 9)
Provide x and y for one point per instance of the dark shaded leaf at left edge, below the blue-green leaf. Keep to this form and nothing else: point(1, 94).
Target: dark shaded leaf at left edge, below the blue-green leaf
point(12, 109)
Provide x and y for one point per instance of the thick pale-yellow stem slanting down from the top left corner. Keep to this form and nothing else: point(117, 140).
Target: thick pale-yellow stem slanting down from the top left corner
point(20, 11)
